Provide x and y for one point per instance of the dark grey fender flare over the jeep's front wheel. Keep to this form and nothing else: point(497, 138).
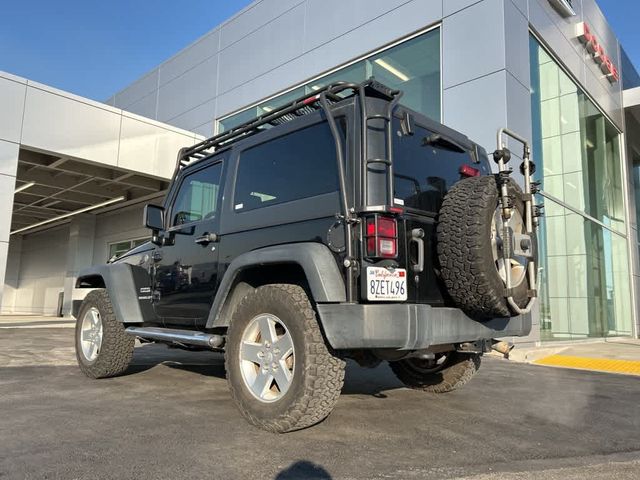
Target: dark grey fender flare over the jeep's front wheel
point(122, 282)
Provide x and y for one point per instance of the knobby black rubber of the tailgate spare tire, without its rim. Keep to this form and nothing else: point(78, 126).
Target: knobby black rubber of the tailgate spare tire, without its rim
point(461, 234)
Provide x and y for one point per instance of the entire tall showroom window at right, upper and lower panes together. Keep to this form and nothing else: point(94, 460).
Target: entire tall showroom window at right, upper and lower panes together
point(584, 265)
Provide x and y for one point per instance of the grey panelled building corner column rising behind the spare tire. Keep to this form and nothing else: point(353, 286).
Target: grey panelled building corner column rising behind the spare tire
point(486, 80)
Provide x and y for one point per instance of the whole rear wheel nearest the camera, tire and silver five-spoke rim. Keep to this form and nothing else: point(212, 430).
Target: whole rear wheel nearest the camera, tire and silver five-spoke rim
point(281, 374)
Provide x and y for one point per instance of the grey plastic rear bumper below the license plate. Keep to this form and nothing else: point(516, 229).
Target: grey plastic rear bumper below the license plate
point(410, 326)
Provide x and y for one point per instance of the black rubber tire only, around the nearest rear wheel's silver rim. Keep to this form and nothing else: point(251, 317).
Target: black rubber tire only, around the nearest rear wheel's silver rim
point(324, 370)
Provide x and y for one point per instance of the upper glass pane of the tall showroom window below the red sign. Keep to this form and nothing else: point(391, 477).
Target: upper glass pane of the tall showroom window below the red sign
point(580, 148)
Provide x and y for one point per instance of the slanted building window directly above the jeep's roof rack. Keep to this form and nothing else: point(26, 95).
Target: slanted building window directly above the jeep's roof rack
point(412, 66)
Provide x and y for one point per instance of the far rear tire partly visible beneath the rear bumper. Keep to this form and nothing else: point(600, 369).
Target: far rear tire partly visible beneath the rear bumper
point(448, 371)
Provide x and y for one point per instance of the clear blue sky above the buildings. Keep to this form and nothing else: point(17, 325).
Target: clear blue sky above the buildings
point(94, 48)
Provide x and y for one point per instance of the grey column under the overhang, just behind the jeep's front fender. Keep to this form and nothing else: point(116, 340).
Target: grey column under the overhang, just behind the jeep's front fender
point(79, 254)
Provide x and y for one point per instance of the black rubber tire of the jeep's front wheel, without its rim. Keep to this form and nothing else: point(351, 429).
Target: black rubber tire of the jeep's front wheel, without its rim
point(117, 347)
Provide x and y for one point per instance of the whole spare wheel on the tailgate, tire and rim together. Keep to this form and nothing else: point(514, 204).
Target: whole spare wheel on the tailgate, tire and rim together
point(470, 248)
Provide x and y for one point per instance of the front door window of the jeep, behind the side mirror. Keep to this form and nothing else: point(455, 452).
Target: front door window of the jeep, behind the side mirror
point(197, 198)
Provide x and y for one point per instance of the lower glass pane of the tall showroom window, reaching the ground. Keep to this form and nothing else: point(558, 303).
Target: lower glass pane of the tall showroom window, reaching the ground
point(584, 279)
